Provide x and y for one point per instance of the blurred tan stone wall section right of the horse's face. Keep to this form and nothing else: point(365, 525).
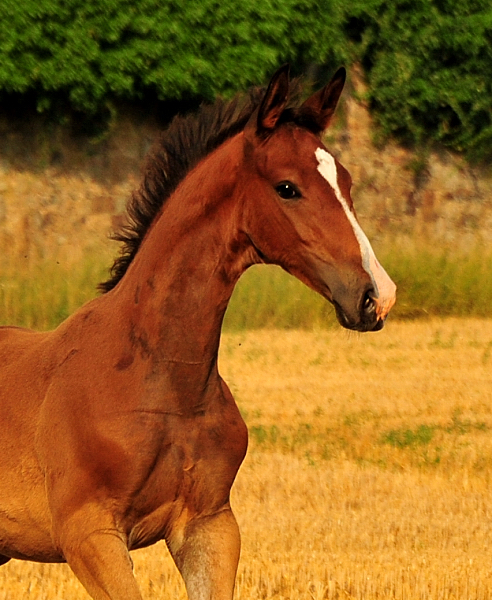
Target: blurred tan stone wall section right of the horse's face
point(443, 200)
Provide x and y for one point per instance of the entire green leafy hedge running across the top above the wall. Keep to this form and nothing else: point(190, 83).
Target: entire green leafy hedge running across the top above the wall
point(427, 62)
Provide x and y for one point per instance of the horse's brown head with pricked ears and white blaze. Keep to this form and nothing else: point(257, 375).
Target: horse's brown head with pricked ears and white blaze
point(298, 212)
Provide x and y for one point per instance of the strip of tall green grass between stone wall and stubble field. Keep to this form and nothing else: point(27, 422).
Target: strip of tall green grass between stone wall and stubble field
point(431, 282)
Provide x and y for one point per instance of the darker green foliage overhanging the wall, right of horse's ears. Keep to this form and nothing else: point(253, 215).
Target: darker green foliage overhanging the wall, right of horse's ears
point(428, 65)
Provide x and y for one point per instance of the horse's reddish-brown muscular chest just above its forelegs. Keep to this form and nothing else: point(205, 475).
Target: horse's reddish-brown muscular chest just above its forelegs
point(192, 475)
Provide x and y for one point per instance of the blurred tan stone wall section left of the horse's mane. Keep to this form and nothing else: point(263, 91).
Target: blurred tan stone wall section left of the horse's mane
point(54, 216)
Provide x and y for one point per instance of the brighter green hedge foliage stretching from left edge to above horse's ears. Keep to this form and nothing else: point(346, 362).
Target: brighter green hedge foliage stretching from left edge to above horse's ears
point(90, 52)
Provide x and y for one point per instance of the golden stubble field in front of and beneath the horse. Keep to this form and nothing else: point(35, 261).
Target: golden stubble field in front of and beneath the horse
point(368, 473)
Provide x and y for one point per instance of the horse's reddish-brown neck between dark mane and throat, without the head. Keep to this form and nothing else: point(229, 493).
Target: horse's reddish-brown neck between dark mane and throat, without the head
point(177, 289)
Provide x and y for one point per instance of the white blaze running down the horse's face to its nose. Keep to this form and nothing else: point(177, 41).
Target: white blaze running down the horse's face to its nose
point(383, 286)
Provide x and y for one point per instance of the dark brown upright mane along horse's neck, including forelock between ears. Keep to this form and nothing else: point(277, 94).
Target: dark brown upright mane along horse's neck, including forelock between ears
point(180, 147)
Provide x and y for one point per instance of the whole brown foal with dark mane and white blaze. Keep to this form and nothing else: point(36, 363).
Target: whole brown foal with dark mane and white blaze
point(116, 428)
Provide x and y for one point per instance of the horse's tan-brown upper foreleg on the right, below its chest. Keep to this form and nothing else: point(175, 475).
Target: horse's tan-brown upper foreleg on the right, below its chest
point(207, 555)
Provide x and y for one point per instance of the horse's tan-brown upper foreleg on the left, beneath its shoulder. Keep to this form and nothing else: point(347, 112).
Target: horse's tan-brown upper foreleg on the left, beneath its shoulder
point(102, 563)
